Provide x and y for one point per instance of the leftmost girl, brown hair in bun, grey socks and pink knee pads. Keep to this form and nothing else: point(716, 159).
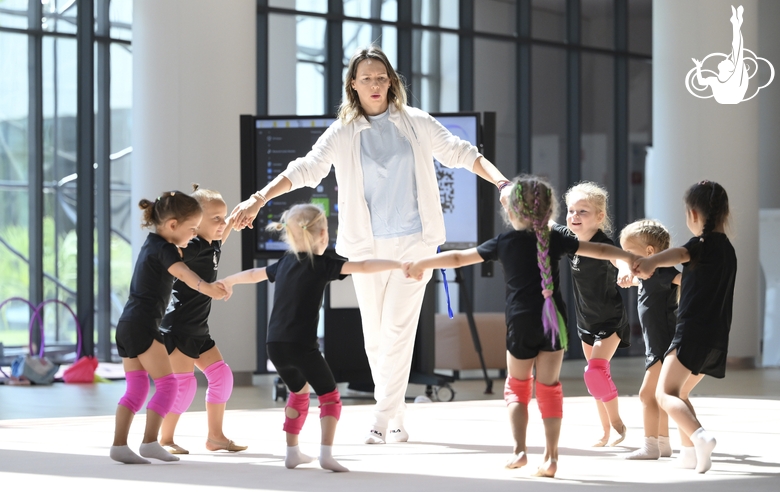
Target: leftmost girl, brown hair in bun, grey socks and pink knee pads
point(175, 217)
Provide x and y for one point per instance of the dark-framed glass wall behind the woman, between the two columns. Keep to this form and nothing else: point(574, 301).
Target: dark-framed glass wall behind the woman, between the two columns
point(567, 79)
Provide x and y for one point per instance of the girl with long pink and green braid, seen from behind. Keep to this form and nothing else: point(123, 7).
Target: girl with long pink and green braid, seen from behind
point(535, 314)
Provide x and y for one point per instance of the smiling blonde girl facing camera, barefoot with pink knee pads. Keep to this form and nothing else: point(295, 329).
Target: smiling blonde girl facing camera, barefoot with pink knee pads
point(602, 323)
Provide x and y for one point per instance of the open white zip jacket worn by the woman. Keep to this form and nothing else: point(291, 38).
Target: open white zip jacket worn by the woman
point(340, 146)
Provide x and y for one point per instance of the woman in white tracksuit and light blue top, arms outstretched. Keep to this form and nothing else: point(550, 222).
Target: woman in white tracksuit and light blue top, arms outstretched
point(389, 207)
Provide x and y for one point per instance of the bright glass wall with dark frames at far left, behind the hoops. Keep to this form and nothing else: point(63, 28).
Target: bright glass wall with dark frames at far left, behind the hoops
point(38, 62)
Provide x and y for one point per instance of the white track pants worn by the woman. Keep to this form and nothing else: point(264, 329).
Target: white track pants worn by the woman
point(390, 307)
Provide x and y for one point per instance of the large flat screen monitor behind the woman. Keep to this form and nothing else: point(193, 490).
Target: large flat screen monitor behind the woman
point(270, 143)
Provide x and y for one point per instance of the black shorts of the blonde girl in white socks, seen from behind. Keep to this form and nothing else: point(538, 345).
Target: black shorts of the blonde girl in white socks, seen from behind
point(298, 364)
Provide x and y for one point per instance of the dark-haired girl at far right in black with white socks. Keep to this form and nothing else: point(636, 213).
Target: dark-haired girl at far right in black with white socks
point(701, 337)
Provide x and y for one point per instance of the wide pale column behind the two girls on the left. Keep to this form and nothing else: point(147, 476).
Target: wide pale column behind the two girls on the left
point(193, 75)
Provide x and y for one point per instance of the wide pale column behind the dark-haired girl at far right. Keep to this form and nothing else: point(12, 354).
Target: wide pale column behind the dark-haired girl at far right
point(696, 139)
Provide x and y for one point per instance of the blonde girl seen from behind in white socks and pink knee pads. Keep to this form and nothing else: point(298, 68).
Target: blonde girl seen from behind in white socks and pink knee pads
point(301, 277)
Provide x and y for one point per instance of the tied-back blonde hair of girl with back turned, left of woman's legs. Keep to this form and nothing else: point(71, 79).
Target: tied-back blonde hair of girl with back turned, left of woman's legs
point(300, 226)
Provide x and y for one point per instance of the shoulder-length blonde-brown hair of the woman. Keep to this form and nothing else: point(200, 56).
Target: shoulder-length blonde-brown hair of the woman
point(350, 108)
